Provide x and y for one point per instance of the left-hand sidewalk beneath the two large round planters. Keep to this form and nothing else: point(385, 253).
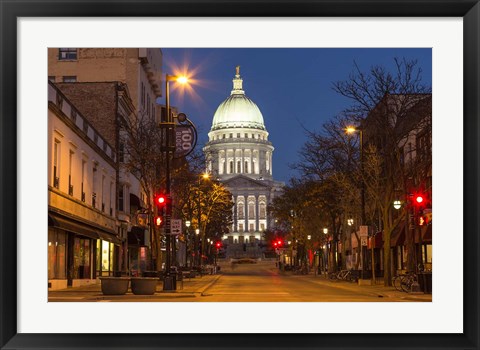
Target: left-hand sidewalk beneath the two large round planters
point(189, 288)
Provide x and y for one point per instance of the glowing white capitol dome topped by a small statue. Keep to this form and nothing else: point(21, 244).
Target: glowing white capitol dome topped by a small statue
point(238, 111)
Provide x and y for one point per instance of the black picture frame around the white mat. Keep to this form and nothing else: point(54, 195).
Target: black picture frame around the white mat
point(12, 10)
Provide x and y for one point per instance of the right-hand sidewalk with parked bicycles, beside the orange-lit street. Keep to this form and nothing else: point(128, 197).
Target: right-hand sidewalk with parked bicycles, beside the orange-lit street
point(378, 289)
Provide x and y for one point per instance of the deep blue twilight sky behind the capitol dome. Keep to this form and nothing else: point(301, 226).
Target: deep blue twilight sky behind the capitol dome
point(290, 86)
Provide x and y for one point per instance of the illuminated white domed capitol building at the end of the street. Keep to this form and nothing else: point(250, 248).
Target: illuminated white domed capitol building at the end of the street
point(239, 154)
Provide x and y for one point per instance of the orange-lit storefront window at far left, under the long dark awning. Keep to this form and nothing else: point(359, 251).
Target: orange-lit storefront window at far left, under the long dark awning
point(56, 254)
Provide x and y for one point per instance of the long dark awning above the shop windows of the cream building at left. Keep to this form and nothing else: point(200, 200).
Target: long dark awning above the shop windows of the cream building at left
point(81, 228)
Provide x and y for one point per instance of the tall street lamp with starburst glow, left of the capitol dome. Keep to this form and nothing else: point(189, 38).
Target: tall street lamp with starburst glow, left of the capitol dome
point(169, 126)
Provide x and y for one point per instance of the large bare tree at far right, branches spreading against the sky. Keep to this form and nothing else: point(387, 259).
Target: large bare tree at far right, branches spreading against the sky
point(383, 103)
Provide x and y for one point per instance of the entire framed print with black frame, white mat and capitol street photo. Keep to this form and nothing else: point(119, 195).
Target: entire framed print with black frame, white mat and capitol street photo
point(291, 40)
